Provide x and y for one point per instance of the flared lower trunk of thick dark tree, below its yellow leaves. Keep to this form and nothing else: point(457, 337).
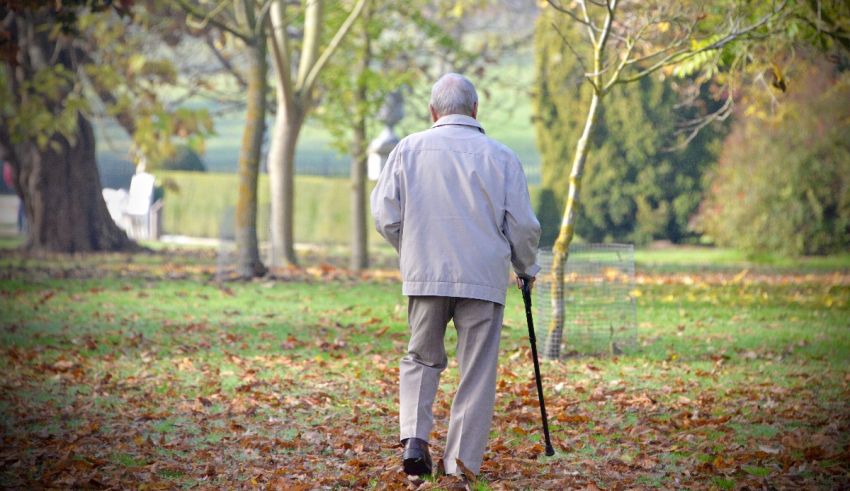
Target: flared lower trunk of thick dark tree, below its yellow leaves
point(61, 191)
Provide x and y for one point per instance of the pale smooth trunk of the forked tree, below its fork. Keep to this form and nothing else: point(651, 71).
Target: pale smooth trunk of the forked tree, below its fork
point(282, 182)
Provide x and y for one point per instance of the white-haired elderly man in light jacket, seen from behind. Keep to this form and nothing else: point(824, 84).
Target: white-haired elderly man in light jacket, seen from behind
point(454, 203)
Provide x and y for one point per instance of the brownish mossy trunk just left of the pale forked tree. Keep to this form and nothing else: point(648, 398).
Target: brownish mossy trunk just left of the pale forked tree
point(249, 264)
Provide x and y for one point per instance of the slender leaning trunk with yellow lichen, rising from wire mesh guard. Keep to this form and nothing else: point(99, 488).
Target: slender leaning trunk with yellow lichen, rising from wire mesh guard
point(561, 249)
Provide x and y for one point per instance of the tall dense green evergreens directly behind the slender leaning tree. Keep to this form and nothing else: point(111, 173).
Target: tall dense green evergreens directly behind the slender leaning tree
point(636, 186)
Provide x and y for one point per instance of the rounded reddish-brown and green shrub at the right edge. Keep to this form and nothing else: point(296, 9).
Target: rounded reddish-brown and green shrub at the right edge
point(782, 184)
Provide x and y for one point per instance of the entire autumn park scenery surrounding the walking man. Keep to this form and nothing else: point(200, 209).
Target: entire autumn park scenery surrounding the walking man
point(193, 295)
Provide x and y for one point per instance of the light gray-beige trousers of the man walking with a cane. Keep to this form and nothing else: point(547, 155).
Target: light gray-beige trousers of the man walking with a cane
point(479, 325)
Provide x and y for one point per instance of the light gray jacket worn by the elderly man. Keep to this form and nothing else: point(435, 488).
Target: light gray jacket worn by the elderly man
point(454, 203)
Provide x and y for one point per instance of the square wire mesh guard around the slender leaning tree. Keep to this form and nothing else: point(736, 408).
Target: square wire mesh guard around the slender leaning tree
point(599, 304)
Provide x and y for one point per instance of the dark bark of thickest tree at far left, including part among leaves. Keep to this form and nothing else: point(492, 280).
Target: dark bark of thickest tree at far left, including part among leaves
point(58, 182)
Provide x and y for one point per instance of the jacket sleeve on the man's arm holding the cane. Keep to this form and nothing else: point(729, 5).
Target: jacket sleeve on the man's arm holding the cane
point(521, 226)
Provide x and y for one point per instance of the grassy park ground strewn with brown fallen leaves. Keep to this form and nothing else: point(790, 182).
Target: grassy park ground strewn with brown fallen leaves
point(142, 372)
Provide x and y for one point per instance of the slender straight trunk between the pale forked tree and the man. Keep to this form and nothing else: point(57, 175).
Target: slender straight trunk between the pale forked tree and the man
point(359, 236)
